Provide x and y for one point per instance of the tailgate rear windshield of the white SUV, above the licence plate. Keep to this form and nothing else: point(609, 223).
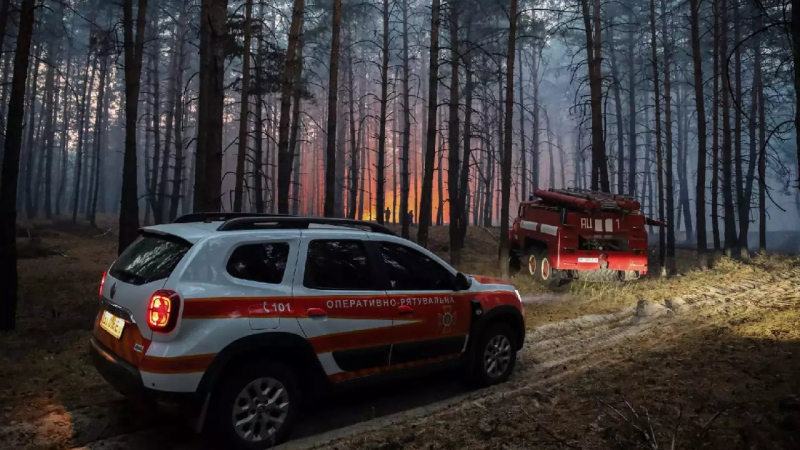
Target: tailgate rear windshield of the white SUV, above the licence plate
point(149, 258)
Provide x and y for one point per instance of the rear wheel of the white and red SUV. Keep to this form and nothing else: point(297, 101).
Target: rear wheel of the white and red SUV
point(257, 405)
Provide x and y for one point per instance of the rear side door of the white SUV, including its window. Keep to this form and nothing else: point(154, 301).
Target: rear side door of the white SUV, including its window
point(341, 307)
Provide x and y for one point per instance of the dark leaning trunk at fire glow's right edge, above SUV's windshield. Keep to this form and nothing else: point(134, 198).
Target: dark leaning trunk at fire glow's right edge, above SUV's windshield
point(425, 203)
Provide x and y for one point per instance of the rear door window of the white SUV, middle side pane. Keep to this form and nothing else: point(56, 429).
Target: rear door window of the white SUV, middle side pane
point(337, 265)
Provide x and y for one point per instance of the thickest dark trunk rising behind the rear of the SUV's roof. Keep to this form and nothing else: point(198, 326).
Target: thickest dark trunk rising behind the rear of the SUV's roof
point(208, 153)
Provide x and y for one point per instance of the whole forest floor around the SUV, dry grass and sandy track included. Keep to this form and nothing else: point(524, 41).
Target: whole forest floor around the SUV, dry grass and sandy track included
point(707, 359)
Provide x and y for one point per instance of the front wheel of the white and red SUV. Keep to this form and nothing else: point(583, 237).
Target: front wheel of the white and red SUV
point(495, 355)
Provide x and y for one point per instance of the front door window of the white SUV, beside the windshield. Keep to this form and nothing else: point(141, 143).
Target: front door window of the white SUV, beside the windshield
point(410, 270)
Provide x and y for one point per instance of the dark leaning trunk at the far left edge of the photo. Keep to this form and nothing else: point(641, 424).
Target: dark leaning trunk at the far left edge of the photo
point(8, 188)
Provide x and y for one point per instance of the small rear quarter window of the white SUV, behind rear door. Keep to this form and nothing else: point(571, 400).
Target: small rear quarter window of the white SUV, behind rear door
point(264, 263)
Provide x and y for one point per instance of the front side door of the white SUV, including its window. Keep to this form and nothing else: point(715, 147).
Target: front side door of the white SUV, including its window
point(431, 320)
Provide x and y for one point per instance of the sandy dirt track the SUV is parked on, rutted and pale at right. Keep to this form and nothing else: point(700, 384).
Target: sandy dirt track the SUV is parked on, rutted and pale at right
point(554, 354)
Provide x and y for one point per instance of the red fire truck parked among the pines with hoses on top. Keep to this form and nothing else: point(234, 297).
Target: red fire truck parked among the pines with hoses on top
point(570, 233)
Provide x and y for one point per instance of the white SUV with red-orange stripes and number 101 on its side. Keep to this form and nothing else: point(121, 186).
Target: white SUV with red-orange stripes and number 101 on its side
point(245, 315)
